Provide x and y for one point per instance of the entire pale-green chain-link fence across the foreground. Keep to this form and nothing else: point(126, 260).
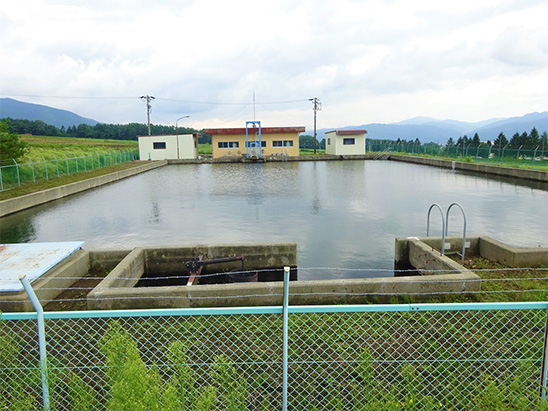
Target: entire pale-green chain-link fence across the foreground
point(414, 356)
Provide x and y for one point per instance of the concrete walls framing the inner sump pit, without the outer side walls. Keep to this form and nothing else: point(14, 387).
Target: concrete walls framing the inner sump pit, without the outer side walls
point(345, 291)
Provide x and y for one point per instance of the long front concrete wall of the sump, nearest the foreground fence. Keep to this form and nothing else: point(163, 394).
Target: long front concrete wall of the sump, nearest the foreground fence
point(347, 291)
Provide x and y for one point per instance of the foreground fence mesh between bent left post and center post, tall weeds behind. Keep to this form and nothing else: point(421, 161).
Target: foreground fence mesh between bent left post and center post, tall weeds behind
point(183, 361)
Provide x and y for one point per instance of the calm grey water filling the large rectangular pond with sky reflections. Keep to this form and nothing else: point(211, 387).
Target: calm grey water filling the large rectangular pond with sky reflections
point(341, 214)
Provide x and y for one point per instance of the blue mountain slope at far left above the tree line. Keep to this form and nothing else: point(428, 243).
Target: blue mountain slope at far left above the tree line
point(19, 110)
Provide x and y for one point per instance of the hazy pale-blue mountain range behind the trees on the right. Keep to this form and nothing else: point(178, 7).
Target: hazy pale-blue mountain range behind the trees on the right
point(428, 129)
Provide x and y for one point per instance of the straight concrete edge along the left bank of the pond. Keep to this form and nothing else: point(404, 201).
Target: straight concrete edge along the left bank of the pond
point(14, 205)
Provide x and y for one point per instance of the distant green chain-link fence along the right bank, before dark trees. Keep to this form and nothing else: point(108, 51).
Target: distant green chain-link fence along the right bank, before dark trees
point(521, 155)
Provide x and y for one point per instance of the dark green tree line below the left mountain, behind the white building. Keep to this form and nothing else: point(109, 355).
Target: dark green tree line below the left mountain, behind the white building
point(100, 130)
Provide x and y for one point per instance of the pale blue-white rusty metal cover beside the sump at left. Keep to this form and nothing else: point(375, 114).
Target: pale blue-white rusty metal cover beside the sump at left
point(32, 259)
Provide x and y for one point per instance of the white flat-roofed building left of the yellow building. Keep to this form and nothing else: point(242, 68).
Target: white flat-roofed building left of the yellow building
point(170, 147)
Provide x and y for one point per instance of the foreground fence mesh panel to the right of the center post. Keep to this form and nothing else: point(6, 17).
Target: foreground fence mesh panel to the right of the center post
point(434, 359)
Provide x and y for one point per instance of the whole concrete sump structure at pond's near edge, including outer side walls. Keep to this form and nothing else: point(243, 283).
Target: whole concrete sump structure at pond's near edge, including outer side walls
point(123, 287)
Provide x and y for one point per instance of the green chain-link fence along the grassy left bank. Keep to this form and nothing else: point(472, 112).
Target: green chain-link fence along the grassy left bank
point(15, 174)
